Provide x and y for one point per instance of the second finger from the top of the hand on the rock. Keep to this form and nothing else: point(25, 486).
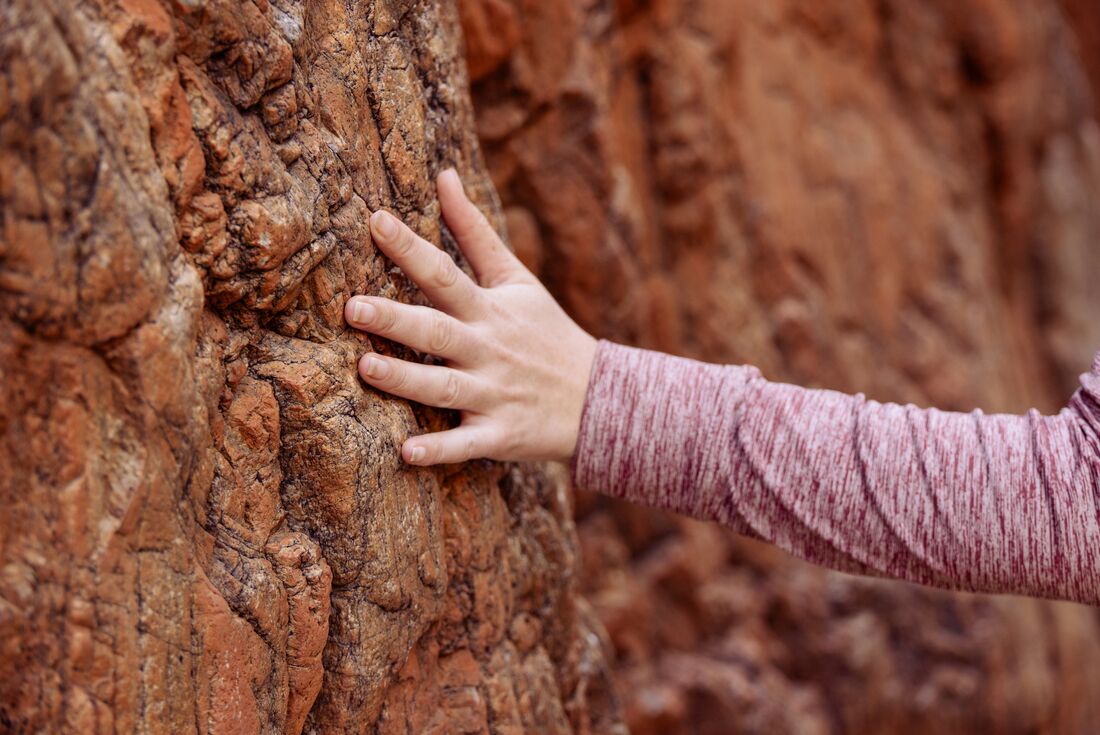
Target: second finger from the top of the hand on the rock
point(430, 268)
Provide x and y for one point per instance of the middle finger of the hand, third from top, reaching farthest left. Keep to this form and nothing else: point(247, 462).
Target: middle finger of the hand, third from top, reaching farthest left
point(422, 328)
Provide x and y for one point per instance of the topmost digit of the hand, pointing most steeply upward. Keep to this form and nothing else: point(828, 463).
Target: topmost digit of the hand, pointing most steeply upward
point(491, 259)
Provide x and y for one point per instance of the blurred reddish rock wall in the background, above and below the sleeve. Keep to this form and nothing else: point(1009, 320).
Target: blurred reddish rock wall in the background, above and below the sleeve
point(889, 196)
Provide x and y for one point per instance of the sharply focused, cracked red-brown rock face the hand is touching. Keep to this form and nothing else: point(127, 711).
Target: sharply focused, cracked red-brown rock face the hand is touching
point(206, 525)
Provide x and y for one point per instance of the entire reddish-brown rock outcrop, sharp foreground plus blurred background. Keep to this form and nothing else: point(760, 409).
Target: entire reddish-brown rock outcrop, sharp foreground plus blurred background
point(206, 526)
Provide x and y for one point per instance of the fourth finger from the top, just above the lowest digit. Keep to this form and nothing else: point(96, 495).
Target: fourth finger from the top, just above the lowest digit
point(431, 386)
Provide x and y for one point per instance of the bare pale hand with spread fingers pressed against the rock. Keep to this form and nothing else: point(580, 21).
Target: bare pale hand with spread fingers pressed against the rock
point(516, 367)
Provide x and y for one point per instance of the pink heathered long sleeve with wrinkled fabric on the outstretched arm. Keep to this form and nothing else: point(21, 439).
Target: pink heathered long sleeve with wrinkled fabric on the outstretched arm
point(965, 501)
